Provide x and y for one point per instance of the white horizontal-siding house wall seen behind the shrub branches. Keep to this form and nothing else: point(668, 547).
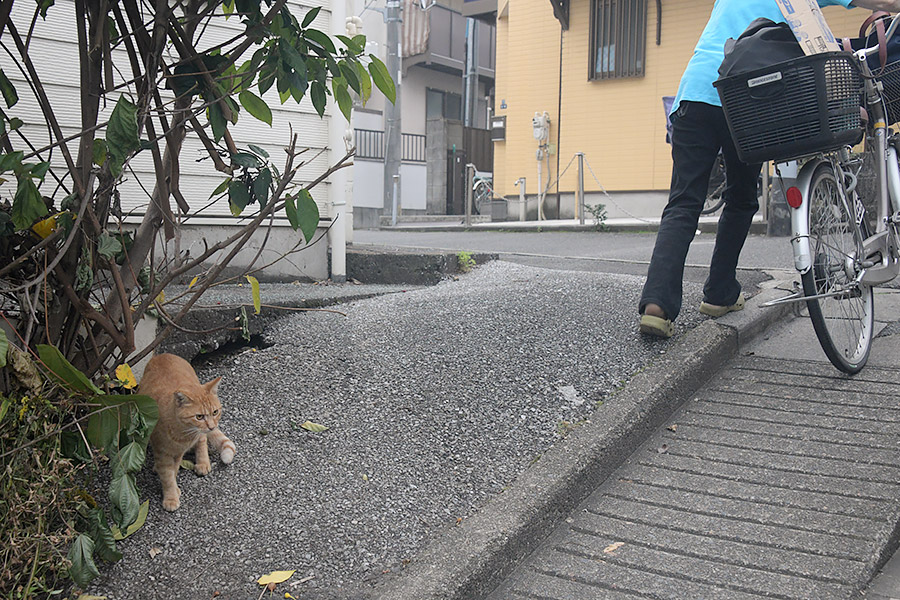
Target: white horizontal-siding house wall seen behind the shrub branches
point(54, 52)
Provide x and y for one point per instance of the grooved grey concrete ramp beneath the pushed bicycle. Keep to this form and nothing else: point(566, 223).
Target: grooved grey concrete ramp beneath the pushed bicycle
point(779, 478)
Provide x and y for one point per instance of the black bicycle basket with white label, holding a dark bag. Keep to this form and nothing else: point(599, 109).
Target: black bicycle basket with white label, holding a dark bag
point(794, 108)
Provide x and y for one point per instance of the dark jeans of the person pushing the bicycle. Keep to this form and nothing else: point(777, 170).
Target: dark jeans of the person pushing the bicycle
point(699, 132)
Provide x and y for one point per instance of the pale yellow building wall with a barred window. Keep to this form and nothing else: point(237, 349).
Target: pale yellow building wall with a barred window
point(618, 124)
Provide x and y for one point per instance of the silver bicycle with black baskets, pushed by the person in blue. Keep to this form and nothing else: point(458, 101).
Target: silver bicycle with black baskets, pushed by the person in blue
point(839, 254)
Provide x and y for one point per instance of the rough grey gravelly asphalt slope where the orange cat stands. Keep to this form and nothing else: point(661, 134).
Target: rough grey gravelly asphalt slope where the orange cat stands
point(435, 400)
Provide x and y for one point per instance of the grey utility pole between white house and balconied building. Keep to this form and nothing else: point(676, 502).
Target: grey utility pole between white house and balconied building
point(392, 124)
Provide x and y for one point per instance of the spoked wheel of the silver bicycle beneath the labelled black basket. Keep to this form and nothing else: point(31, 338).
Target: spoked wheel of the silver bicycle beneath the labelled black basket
point(840, 307)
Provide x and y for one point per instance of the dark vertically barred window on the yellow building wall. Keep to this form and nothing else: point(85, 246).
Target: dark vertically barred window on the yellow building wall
point(618, 38)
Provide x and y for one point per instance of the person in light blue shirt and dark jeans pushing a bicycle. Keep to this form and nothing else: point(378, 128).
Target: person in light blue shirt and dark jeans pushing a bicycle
point(699, 133)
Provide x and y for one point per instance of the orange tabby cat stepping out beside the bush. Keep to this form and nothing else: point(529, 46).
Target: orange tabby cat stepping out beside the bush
point(188, 416)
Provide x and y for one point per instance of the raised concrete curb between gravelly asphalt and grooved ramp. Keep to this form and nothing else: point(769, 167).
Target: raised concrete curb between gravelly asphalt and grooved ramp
point(468, 561)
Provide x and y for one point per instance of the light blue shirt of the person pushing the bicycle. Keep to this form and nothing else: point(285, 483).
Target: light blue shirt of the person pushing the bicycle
point(729, 19)
